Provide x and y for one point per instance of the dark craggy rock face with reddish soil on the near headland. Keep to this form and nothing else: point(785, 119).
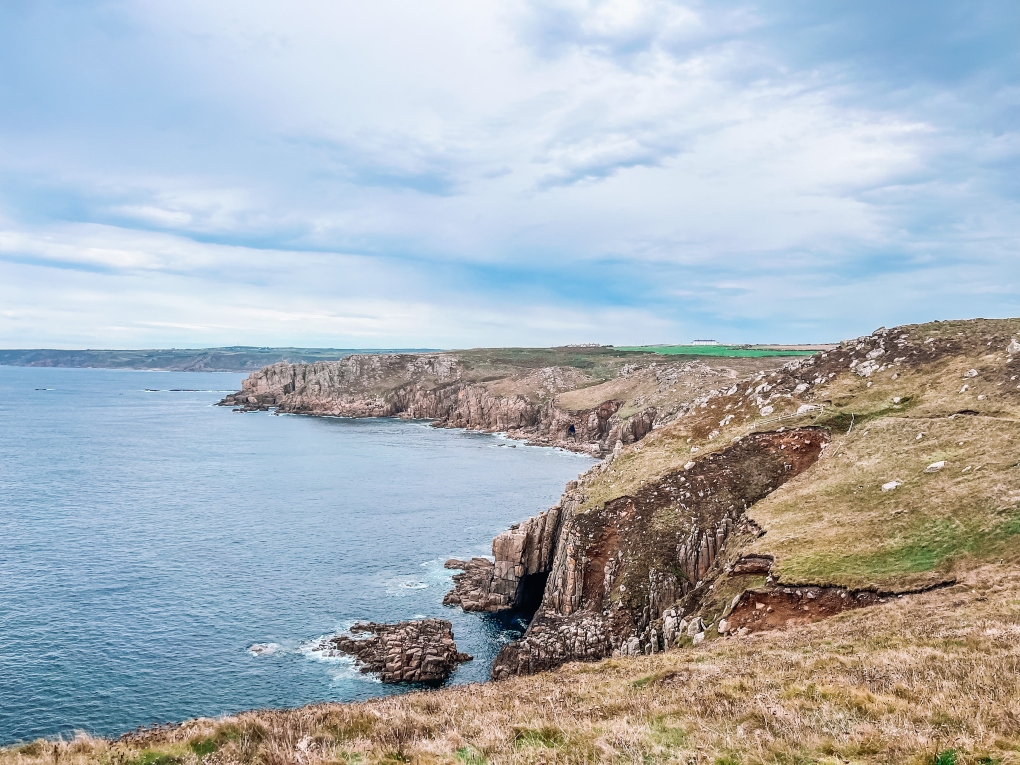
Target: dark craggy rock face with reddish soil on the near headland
point(616, 571)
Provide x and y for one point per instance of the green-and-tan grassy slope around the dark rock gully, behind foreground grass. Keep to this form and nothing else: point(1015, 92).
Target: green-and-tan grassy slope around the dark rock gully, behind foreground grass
point(834, 525)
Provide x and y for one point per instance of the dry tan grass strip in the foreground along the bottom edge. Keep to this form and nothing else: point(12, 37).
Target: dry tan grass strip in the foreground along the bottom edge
point(899, 683)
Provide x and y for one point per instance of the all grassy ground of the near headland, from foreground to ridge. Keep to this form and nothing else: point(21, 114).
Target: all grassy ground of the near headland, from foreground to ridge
point(916, 500)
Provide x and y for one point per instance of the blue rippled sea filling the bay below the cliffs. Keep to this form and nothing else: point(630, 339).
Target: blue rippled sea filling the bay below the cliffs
point(149, 540)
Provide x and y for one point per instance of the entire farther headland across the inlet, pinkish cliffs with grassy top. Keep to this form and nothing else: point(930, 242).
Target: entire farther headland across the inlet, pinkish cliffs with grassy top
point(604, 398)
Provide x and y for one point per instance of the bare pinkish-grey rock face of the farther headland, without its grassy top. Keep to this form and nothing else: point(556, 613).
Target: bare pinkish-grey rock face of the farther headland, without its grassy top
point(438, 387)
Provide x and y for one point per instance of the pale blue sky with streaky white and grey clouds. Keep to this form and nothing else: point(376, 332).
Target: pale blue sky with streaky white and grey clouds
point(471, 173)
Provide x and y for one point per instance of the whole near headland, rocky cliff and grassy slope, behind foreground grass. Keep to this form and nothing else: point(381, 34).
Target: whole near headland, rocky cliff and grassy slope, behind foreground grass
point(665, 540)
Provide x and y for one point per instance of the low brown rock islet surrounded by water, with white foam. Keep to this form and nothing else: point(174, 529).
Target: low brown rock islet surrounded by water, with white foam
point(422, 651)
